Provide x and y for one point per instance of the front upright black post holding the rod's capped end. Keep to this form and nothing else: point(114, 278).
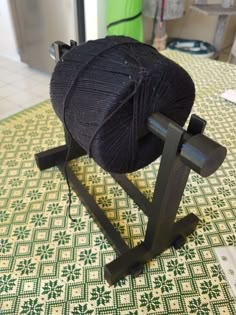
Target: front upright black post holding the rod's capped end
point(170, 184)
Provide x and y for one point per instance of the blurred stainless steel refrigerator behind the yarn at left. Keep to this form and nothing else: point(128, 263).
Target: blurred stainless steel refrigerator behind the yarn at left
point(38, 23)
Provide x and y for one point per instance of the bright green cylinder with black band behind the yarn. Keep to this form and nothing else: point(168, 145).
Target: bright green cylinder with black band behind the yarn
point(124, 17)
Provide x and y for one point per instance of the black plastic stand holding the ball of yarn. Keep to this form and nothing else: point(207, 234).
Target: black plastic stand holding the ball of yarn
point(182, 152)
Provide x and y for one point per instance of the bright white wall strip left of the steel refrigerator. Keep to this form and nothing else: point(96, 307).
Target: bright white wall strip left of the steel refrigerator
point(8, 45)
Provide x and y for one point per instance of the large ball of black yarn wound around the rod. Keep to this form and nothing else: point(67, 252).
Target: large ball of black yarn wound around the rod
point(105, 90)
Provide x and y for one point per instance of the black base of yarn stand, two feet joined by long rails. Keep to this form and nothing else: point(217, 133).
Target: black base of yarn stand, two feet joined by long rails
point(129, 261)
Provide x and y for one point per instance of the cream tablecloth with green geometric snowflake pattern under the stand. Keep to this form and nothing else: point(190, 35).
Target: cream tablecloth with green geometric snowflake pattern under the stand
point(49, 265)
